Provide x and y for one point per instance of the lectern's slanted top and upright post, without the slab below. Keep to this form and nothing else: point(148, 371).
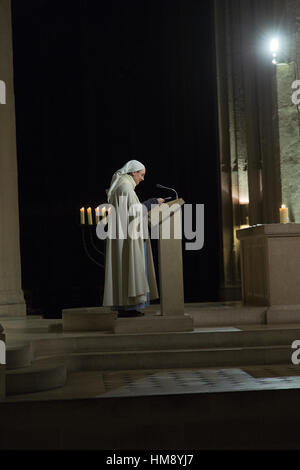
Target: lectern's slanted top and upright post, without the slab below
point(166, 219)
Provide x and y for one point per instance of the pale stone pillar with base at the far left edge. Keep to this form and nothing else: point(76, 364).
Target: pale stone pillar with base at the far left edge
point(11, 295)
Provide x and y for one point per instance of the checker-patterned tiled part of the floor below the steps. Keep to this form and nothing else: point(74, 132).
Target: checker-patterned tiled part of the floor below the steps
point(196, 381)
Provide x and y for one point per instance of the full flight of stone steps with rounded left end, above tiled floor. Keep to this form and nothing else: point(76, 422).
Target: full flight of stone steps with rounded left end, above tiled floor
point(46, 355)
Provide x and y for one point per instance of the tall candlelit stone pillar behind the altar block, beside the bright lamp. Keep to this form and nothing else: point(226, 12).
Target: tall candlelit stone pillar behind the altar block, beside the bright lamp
point(248, 124)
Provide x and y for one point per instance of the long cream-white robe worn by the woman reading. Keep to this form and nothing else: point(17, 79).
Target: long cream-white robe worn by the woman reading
point(125, 275)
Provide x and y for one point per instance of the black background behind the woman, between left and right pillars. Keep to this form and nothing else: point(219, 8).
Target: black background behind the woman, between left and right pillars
point(98, 84)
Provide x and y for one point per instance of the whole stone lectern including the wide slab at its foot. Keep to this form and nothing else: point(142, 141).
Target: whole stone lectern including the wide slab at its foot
point(165, 225)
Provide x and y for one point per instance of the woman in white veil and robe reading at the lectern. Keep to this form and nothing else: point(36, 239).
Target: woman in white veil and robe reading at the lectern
point(130, 281)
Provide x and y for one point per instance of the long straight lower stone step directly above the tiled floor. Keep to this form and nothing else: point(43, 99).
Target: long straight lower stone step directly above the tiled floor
point(163, 359)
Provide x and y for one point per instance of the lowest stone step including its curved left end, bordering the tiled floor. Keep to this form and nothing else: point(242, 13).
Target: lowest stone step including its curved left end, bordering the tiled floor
point(49, 373)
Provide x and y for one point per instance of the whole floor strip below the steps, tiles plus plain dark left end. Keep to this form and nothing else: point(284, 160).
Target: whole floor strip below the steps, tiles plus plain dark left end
point(97, 384)
